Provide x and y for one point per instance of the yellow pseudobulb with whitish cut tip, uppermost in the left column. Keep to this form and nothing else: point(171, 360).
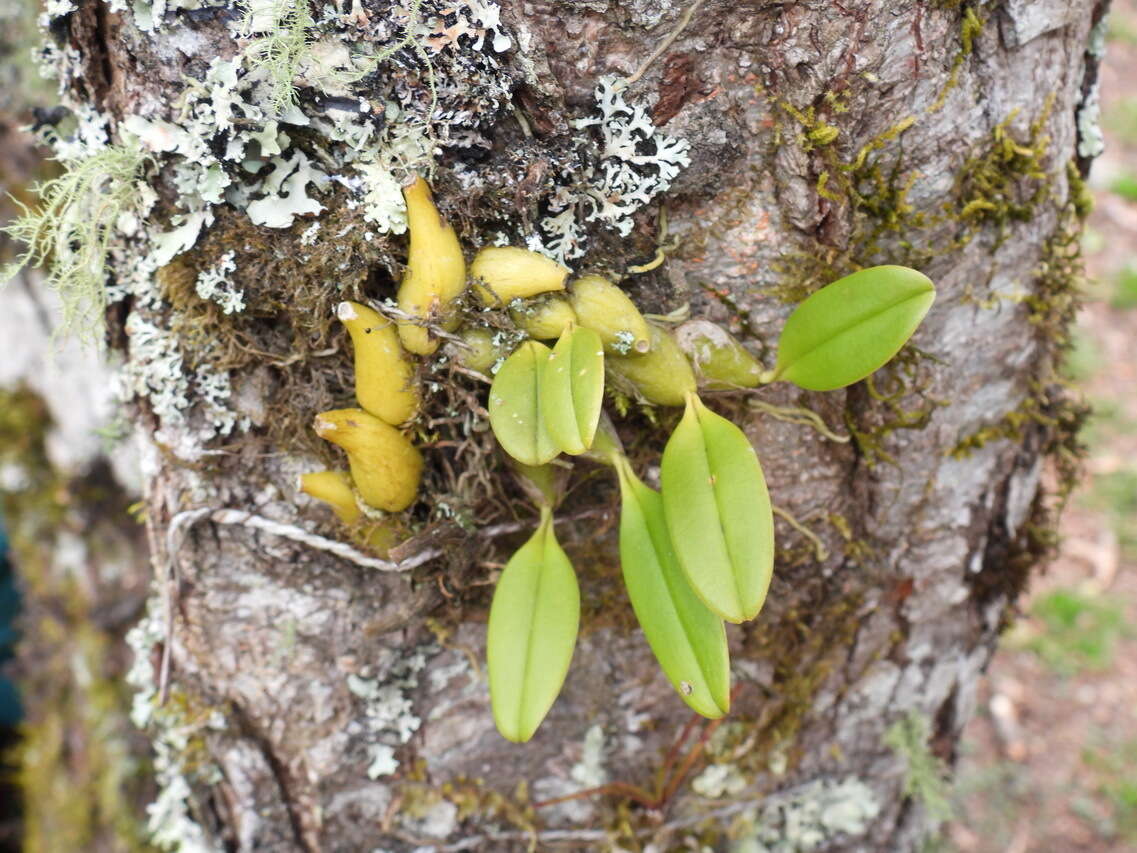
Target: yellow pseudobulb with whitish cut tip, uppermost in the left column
point(385, 377)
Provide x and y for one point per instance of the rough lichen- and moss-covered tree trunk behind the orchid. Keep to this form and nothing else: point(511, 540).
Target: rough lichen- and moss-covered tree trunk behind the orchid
point(311, 700)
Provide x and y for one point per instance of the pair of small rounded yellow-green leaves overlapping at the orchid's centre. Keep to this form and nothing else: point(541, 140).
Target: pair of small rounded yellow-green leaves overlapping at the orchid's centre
point(545, 402)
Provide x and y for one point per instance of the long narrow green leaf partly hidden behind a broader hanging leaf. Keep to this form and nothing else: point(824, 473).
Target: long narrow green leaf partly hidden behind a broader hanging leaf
point(688, 641)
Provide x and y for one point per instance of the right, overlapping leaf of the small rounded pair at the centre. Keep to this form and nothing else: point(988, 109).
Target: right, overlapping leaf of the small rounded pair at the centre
point(572, 390)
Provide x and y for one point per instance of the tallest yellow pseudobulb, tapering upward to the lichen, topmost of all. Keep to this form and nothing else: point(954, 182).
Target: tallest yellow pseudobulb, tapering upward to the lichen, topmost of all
point(436, 271)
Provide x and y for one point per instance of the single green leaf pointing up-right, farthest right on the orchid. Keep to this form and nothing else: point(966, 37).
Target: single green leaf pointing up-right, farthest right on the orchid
point(849, 329)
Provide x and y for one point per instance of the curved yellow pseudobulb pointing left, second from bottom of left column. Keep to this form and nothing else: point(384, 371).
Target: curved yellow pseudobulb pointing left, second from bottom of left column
point(386, 467)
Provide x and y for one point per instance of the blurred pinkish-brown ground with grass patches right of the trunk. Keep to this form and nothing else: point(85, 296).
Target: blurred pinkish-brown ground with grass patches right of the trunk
point(1051, 763)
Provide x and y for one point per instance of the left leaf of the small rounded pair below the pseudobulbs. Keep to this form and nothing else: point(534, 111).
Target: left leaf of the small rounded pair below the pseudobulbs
point(516, 407)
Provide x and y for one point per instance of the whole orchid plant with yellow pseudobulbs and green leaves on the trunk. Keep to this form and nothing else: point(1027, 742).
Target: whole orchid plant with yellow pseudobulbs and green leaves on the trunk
point(695, 554)
